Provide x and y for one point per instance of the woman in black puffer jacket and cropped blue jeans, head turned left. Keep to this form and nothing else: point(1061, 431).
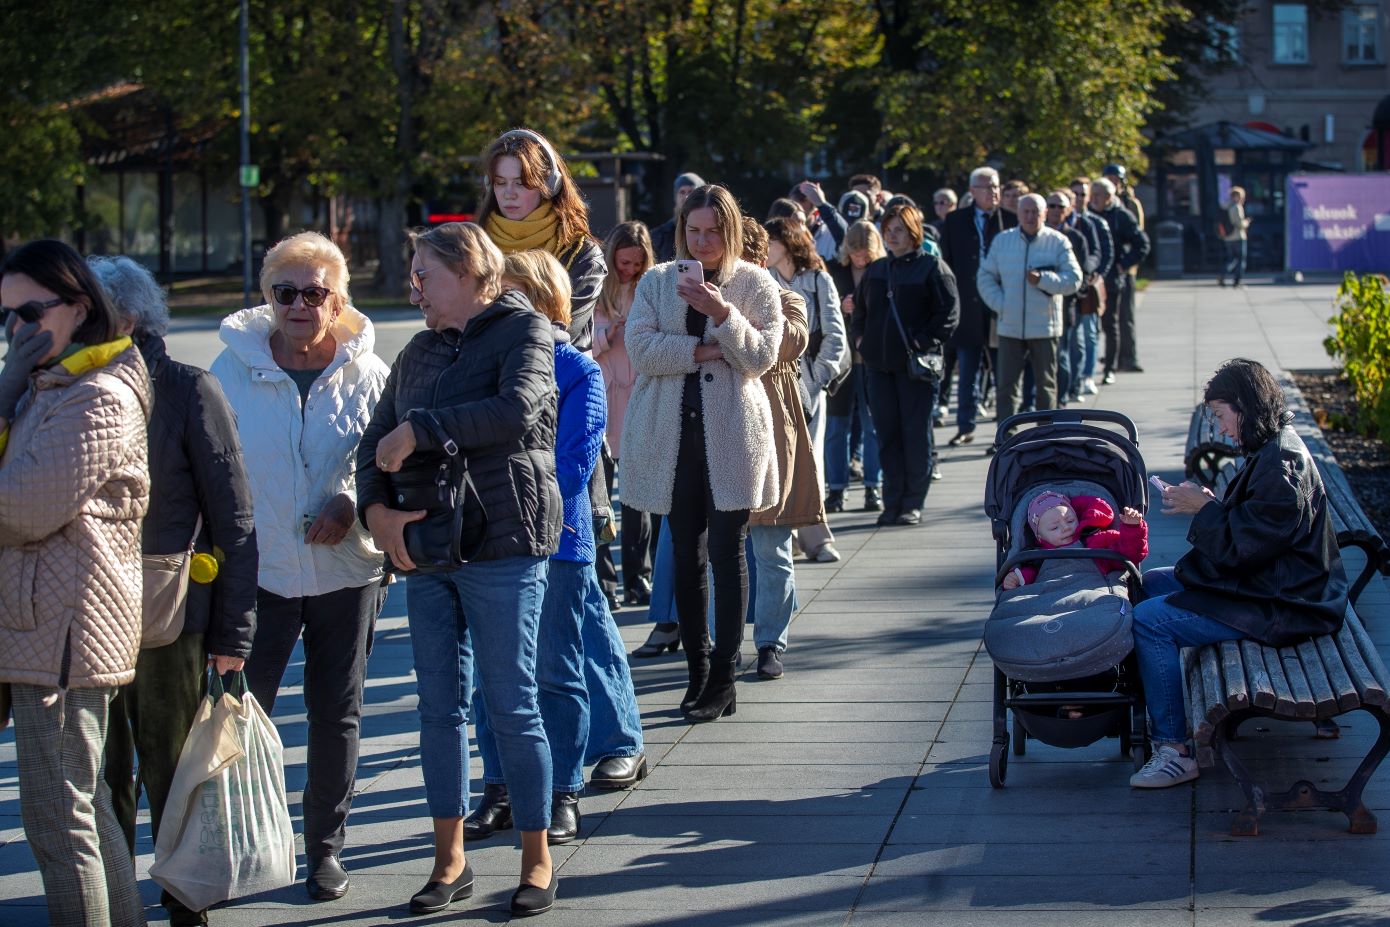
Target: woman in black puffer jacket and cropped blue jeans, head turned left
point(477, 384)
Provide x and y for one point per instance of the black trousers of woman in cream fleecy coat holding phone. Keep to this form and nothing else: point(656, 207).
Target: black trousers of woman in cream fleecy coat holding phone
point(707, 540)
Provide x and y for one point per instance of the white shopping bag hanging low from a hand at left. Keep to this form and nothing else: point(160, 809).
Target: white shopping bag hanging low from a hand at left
point(226, 830)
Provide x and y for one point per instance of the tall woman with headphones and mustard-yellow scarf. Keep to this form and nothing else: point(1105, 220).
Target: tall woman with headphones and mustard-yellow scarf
point(533, 204)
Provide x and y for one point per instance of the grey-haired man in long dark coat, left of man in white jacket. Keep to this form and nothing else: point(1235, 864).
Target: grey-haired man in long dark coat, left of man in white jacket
point(967, 236)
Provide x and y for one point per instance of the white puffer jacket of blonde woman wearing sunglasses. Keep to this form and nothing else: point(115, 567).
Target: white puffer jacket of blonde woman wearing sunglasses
point(300, 457)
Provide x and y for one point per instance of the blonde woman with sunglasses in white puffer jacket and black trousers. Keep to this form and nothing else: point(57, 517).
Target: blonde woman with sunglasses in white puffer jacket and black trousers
point(304, 382)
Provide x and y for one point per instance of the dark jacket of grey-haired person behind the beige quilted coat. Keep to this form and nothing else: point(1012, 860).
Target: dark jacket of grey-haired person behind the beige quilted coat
point(197, 466)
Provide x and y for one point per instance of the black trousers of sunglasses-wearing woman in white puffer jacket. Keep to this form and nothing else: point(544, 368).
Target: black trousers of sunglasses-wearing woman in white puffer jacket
point(337, 629)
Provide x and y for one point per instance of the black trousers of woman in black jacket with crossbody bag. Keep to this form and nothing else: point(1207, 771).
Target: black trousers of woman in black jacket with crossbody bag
point(901, 411)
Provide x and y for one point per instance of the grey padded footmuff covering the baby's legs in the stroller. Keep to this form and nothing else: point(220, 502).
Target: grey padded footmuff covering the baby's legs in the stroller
point(1070, 623)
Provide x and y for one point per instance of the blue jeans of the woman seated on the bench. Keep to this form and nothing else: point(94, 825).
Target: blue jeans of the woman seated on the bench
point(1161, 630)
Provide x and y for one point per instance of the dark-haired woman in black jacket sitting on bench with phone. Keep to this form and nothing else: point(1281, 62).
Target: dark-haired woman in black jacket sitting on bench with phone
point(1264, 562)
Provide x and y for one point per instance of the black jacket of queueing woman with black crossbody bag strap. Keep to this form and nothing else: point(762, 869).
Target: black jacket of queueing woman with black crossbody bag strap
point(928, 304)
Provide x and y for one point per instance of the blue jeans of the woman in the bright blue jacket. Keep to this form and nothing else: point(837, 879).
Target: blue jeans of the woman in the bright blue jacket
point(559, 673)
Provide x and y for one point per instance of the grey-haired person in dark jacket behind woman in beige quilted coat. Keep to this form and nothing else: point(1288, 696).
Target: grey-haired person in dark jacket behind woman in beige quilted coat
point(198, 484)
